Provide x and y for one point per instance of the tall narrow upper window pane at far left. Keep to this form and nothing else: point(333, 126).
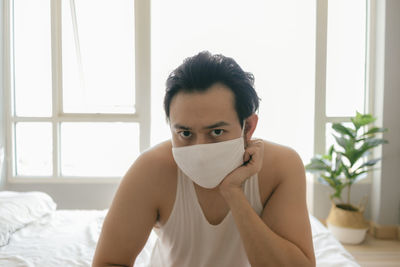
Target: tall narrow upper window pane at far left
point(32, 57)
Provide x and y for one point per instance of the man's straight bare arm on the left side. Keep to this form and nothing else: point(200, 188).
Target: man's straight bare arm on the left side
point(130, 218)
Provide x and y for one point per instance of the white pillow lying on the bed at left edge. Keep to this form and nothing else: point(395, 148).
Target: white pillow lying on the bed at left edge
point(20, 208)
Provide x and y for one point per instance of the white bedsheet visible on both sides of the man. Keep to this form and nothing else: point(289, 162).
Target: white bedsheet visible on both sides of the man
point(68, 238)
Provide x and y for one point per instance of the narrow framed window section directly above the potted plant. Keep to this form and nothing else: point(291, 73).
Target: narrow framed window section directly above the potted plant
point(343, 61)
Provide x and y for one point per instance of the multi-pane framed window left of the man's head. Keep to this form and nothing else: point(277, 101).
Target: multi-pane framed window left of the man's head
point(77, 105)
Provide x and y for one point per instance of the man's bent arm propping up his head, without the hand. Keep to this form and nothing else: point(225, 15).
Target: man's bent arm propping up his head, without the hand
point(282, 235)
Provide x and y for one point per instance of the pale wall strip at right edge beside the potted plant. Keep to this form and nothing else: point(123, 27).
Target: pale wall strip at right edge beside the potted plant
point(386, 184)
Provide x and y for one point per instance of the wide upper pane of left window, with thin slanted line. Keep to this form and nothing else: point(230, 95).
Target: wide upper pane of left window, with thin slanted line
point(98, 58)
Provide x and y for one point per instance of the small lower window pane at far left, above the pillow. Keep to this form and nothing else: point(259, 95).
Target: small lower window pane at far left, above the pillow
point(34, 148)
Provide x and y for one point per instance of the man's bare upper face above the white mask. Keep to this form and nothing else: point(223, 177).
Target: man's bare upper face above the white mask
point(204, 117)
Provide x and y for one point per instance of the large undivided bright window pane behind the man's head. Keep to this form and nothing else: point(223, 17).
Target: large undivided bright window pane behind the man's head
point(275, 40)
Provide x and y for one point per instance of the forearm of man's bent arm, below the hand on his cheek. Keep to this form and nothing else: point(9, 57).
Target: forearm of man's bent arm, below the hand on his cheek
point(263, 246)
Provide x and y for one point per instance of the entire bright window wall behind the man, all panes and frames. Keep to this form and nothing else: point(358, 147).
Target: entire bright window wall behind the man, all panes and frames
point(90, 79)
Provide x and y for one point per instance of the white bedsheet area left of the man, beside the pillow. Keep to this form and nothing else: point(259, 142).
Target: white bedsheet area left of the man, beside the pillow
point(64, 238)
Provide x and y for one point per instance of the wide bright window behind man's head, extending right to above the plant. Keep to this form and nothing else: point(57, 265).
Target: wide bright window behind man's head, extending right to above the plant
point(276, 41)
